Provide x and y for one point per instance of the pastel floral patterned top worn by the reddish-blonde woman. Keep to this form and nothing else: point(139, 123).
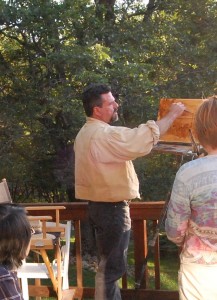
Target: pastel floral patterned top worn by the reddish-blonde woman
point(192, 212)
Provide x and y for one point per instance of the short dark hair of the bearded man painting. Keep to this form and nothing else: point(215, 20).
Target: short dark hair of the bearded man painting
point(91, 96)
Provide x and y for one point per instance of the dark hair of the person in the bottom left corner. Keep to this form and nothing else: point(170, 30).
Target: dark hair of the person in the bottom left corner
point(15, 235)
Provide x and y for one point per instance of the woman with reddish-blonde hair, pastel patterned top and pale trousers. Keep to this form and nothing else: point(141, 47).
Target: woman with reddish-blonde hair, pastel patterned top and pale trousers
point(192, 212)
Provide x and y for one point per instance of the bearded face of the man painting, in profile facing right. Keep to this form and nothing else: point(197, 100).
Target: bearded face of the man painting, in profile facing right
point(109, 110)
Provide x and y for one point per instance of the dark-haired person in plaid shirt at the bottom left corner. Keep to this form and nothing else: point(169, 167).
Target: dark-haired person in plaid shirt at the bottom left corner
point(15, 235)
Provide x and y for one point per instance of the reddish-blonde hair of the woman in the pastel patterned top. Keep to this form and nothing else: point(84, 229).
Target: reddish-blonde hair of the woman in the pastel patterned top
point(206, 122)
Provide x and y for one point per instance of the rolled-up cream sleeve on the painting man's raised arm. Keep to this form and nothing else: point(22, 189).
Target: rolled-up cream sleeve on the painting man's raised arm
point(122, 144)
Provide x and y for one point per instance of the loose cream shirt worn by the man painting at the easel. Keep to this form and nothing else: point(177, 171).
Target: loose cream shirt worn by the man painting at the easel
point(103, 159)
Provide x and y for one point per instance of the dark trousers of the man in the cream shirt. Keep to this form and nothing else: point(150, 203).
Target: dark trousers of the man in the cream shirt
point(112, 225)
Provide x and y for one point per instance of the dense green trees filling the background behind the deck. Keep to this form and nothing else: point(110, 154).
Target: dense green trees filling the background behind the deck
point(50, 50)
